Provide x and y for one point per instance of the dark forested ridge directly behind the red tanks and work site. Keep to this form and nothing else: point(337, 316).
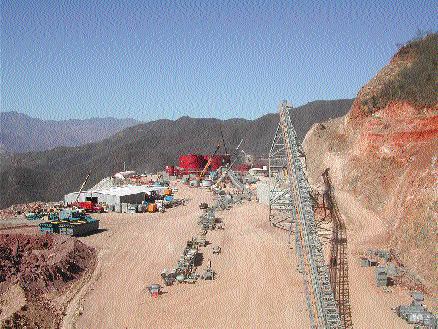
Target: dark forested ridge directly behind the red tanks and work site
point(146, 147)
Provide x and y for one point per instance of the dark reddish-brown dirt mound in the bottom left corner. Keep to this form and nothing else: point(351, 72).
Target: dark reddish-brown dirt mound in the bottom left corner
point(38, 267)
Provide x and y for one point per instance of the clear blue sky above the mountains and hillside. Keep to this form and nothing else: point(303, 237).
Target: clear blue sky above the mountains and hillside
point(165, 59)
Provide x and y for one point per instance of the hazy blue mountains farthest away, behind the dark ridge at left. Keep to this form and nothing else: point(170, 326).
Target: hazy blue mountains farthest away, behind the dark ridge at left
point(21, 133)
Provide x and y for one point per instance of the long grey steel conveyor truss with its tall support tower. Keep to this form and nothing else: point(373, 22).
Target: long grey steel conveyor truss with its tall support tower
point(291, 201)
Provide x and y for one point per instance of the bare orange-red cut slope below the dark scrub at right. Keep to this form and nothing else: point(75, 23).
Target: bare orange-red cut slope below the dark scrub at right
point(389, 166)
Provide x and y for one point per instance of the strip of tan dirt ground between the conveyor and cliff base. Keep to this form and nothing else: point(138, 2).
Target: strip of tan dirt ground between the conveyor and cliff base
point(370, 305)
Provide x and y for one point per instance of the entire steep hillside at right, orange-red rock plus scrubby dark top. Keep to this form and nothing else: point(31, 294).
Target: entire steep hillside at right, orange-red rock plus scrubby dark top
point(384, 153)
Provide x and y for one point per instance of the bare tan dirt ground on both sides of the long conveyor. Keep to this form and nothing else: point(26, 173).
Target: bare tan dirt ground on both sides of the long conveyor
point(257, 285)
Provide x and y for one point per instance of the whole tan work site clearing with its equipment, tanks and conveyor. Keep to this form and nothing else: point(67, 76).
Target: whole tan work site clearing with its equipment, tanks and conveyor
point(259, 248)
